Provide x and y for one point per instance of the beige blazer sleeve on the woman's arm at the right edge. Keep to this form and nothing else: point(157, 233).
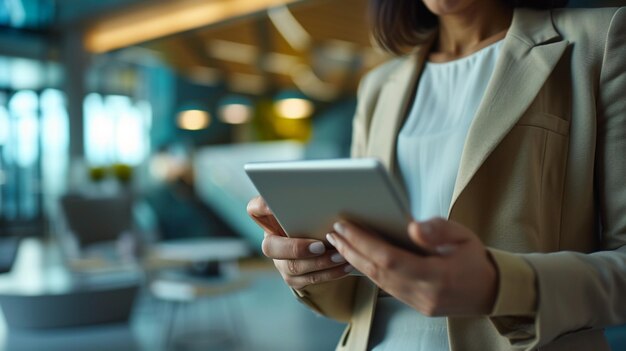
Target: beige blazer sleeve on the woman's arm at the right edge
point(577, 291)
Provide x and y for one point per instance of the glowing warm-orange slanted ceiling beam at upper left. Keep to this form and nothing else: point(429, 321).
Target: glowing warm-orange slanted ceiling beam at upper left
point(161, 19)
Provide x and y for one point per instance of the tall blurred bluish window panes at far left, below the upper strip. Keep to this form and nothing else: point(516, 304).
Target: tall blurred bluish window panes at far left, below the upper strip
point(34, 144)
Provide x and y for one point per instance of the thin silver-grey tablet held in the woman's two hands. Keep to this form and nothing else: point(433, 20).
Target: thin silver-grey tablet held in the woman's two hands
point(307, 197)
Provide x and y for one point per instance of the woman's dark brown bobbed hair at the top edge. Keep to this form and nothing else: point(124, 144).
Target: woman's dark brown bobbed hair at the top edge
point(400, 24)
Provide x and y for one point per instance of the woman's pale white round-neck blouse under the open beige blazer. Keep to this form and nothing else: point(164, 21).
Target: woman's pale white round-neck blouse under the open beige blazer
point(429, 151)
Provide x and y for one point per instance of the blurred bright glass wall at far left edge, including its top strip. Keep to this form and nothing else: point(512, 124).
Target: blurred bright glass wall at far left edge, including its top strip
point(33, 141)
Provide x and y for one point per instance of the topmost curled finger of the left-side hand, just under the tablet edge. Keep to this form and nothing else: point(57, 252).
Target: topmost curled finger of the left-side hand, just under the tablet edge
point(284, 248)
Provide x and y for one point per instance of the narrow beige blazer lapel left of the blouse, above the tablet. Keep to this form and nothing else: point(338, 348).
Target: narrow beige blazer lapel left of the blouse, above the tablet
point(392, 107)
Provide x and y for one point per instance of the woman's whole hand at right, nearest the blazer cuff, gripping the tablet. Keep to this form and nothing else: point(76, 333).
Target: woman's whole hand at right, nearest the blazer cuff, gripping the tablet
point(457, 279)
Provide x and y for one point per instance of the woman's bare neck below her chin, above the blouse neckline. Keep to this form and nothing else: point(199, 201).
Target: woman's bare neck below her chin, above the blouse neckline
point(462, 31)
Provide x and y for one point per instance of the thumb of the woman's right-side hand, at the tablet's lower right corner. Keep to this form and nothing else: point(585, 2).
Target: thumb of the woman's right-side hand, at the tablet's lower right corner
point(438, 236)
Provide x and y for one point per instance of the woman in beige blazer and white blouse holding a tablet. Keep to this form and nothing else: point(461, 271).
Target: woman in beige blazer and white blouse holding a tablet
point(510, 123)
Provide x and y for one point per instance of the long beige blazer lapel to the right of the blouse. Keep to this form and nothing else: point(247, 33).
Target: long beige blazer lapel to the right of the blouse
point(530, 52)
